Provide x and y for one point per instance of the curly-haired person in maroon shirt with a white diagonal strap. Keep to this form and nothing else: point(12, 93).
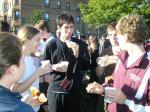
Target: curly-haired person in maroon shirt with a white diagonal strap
point(130, 91)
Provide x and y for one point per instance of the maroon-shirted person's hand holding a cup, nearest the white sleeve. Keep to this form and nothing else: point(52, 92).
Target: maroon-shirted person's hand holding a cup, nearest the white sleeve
point(116, 96)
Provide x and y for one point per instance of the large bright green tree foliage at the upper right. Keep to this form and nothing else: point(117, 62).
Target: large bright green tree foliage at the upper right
point(99, 12)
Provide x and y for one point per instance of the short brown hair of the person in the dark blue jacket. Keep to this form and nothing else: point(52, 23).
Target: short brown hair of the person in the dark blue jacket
point(10, 51)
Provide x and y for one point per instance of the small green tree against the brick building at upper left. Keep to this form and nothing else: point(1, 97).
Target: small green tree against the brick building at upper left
point(36, 15)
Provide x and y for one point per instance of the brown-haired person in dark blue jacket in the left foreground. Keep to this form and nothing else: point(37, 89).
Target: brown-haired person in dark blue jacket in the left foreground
point(11, 70)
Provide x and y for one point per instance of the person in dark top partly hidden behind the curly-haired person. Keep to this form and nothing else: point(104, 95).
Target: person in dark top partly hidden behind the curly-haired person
point(105, 70)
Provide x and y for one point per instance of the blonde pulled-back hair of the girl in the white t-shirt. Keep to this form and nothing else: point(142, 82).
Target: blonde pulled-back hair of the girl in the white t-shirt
point(27, 32)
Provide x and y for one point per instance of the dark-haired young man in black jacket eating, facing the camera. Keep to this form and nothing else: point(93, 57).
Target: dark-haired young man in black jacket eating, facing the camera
point(67, 56)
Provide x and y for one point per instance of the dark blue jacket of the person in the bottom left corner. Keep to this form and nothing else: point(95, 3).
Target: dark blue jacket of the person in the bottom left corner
point(10, 102)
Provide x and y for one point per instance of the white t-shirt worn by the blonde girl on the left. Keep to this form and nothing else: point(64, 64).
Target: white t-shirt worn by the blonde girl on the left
point(29, 70)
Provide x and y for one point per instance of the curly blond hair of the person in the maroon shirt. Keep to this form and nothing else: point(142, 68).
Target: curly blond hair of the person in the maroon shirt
point(135, 26)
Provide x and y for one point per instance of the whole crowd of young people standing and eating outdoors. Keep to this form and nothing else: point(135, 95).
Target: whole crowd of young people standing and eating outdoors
point(76, 74)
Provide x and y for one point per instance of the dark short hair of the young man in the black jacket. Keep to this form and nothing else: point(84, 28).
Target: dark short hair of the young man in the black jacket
point(65, 18)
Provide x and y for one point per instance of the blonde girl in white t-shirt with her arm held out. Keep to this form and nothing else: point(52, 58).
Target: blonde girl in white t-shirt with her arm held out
point(30, 37)
